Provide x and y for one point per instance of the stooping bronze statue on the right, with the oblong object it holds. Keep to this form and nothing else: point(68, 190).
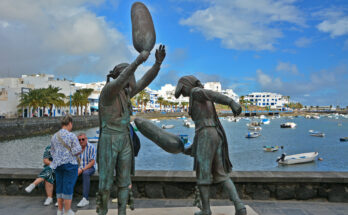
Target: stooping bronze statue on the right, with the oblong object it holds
point(210, 148)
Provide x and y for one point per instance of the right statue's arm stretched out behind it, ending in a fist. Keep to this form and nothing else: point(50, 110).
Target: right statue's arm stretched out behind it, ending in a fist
point(201, 94)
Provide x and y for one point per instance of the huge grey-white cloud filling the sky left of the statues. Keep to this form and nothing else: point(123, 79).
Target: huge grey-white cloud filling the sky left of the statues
point(62, 37)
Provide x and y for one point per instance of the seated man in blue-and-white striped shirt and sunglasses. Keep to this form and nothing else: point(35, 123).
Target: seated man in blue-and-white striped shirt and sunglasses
point(87, 167)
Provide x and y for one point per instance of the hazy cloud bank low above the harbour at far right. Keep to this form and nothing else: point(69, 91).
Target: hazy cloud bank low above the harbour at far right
point(321, 88)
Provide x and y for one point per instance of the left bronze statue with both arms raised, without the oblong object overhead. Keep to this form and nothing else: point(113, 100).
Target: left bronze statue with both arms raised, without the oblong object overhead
point(115, 151)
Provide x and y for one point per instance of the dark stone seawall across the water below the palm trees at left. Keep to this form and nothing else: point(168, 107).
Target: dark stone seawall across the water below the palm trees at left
point(27, 127)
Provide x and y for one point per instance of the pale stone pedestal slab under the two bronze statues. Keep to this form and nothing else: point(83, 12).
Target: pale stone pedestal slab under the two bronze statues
point(217, 210)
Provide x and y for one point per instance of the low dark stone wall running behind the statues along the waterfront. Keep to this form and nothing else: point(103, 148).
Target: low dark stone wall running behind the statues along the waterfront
point(258, 185)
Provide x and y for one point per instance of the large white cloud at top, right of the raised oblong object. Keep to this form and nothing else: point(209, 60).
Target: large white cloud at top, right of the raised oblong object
point(245, 24)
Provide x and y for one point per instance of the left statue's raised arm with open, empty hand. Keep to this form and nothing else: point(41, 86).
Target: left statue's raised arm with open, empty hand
point(151, 73)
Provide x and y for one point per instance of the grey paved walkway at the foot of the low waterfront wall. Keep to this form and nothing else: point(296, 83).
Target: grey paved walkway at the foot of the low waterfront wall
point(24, 205)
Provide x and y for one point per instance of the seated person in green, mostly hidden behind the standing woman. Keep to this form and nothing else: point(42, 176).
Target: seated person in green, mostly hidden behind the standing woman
point(46, 175)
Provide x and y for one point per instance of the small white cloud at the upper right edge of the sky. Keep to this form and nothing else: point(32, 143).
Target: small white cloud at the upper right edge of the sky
point(335, 22)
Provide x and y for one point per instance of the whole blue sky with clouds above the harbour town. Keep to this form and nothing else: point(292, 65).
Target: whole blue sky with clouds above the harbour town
point(293, 47)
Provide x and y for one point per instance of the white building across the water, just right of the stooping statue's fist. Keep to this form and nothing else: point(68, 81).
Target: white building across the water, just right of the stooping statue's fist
point(267, 99)
